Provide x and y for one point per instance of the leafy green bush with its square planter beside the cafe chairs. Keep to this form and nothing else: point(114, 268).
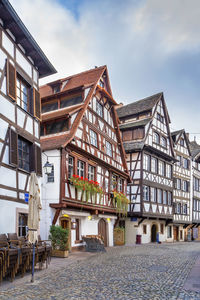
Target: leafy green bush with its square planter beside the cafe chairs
point(59, 238)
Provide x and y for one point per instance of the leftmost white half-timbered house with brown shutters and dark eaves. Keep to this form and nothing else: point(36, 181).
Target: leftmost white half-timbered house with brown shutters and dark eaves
point(22, 63)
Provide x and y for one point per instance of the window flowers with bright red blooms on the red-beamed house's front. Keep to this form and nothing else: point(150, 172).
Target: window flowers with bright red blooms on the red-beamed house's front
point(88, 186)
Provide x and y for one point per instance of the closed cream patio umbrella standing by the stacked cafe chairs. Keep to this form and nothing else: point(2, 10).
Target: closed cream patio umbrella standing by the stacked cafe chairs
point(34, 208)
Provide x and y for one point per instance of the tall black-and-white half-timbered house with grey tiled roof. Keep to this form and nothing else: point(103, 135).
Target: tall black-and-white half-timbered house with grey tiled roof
point(150, 156)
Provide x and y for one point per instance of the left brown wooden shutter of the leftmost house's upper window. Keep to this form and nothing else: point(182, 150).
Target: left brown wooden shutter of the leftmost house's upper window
point(11, 81)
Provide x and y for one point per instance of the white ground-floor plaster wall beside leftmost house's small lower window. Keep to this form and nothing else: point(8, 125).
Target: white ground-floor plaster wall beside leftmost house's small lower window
point(8, 215)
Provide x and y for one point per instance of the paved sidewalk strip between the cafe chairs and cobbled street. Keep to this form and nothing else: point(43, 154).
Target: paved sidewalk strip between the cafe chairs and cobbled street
point(55, 264)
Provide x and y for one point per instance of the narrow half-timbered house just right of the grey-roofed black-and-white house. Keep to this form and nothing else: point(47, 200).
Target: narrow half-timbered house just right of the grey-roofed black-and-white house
point(181, 193)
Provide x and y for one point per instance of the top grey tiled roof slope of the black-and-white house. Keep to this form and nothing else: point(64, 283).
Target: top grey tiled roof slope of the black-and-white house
point(143, 105)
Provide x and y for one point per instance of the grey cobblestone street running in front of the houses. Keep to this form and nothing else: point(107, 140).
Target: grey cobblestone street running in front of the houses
point(135, 272)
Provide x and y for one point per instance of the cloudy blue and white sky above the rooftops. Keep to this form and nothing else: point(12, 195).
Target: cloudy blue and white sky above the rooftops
point(149, 46)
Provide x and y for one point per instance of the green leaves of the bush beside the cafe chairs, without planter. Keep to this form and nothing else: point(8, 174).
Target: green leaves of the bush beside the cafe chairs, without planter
point(59, 237)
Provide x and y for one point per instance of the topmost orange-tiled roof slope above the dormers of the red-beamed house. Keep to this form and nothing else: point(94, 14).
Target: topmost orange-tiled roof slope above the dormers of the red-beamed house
point(86, 78)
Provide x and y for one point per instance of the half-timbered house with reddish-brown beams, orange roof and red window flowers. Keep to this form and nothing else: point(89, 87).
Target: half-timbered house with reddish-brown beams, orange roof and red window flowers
point(80, 136)
